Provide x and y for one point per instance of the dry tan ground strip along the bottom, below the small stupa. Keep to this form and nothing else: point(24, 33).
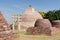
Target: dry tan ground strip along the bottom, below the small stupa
point(37, 37)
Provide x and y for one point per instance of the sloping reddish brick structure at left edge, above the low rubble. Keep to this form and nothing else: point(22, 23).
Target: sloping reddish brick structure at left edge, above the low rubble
point(3, 24)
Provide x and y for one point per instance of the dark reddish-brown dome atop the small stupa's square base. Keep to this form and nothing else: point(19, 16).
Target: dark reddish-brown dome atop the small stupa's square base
point(42, 23)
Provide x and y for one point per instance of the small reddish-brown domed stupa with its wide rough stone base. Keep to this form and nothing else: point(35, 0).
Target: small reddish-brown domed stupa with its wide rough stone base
point(42, 26)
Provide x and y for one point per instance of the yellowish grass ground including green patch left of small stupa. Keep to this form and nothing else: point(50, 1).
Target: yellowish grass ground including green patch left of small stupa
point(37, 37)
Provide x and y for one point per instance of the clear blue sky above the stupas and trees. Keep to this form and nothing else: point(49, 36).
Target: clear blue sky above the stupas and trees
point(9, 7)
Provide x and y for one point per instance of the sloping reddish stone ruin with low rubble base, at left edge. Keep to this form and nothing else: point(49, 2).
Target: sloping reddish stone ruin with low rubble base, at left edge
point(5, 32)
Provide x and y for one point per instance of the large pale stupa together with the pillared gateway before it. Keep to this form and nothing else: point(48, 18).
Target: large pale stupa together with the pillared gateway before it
point(26, 19)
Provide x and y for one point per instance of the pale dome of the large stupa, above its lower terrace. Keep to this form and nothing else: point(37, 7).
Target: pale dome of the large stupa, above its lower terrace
point(30, 14)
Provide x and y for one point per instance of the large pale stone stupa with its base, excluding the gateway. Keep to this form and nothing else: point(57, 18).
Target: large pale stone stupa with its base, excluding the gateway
point(29, 16)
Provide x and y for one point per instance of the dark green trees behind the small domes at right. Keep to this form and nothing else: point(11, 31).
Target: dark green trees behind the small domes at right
point(53, 15)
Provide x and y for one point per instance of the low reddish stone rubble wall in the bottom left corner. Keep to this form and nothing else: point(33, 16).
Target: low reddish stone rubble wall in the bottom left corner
point(8, 35)
